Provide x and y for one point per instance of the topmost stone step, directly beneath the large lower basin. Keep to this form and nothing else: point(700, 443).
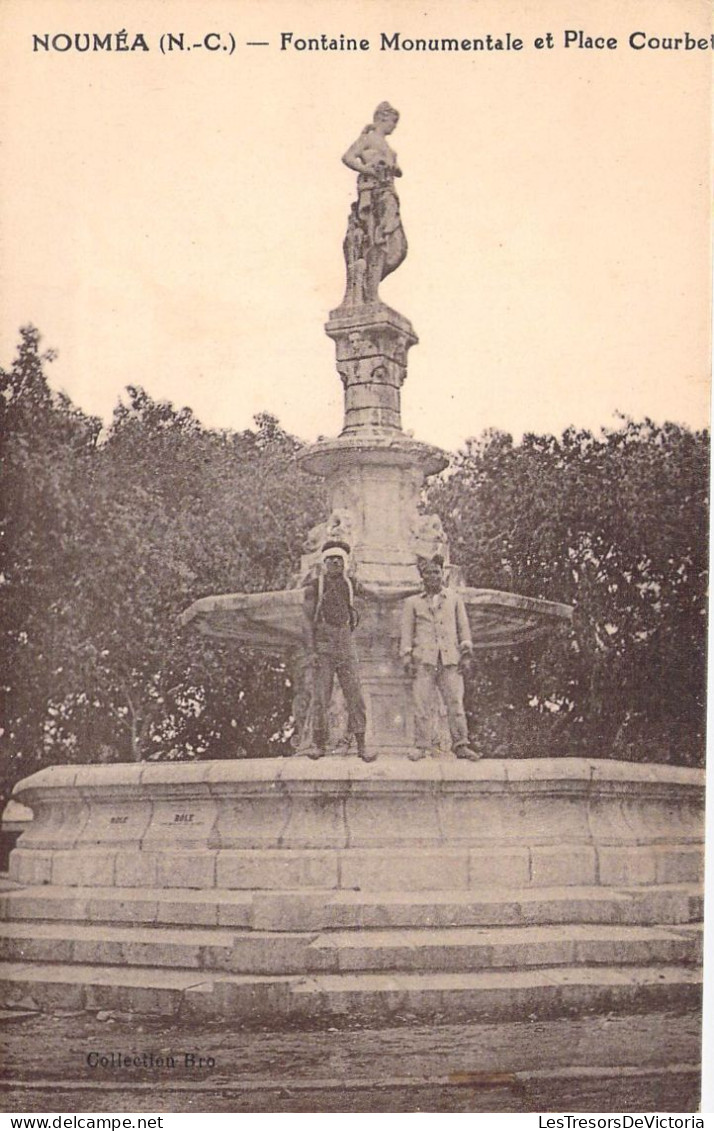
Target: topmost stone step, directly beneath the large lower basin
point(290, 911)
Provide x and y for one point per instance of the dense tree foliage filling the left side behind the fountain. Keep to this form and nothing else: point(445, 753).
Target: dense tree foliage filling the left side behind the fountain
point(107, 539)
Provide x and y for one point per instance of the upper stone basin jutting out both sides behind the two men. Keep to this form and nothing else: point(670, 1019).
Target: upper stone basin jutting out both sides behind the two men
point(273, 621)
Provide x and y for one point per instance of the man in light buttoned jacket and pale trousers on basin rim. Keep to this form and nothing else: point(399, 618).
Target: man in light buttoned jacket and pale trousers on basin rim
point(436, 640)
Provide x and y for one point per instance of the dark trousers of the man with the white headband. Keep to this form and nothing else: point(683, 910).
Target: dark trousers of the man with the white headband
point(336, 657)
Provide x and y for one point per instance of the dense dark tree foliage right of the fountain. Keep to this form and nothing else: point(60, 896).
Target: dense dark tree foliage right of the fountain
point(615, 525)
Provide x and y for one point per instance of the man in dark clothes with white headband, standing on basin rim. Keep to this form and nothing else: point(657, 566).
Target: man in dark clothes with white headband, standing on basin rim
point(330, 621)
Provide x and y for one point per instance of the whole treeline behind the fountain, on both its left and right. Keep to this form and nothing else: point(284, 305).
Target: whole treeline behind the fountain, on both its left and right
point(108, 534)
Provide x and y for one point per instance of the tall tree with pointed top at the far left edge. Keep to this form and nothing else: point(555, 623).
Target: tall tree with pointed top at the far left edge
point(46, 446)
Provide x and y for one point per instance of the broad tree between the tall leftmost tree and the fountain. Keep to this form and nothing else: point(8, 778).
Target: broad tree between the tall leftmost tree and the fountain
point(193, 513)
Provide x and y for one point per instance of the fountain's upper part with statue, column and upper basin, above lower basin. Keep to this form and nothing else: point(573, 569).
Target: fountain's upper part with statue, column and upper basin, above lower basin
point(375, 474)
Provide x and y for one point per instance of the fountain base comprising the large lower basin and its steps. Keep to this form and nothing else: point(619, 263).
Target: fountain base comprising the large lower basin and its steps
point(272, 888)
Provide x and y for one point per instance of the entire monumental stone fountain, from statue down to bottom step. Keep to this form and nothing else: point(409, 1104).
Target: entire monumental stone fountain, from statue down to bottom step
point(273, 887)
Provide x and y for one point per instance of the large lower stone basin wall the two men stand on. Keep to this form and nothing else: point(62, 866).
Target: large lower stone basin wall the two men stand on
point(293, 824)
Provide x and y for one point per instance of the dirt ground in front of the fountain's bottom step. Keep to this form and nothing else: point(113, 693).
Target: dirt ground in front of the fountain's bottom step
point(632, 1064)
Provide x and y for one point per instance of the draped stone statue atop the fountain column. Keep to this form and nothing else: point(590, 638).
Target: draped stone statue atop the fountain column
point(375, 245)
